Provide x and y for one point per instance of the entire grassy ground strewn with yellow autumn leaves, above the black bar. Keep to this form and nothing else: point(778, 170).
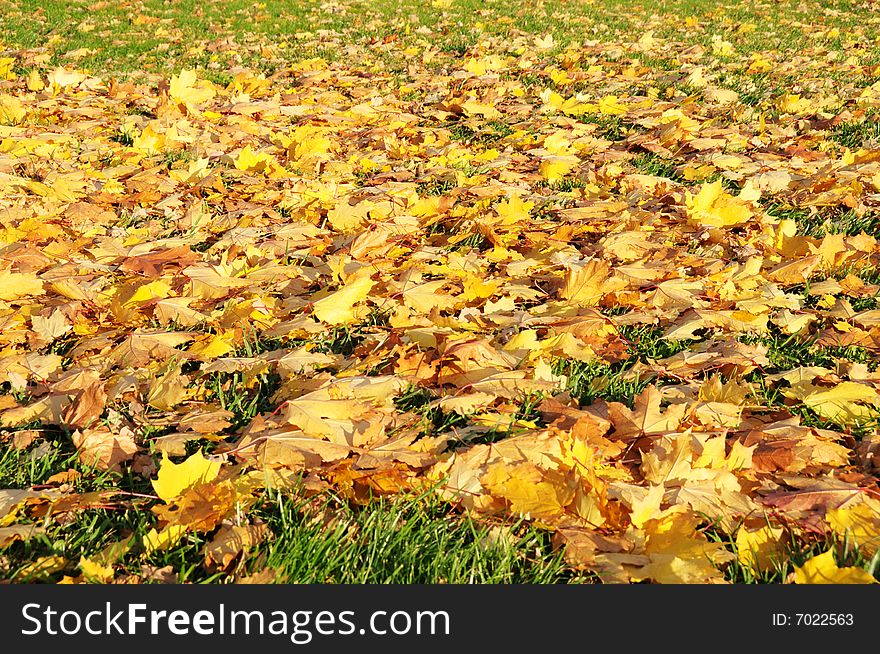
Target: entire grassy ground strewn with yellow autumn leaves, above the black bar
point(593, 288)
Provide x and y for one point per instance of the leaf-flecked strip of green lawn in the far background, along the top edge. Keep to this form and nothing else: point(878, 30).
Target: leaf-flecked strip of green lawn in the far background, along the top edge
point(157, 36)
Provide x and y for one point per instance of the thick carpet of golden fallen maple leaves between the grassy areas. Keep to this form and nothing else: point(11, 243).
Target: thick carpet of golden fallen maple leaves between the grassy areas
point(330, 243)
